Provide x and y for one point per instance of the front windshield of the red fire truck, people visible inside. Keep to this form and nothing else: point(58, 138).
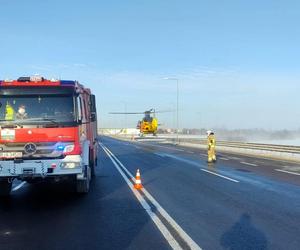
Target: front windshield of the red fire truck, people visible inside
point(37, 109)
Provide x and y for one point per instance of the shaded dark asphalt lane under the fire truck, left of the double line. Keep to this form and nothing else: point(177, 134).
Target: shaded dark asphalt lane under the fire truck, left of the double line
point(47, 216)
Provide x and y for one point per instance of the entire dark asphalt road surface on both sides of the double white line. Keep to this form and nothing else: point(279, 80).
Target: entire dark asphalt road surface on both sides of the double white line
point(237, 203)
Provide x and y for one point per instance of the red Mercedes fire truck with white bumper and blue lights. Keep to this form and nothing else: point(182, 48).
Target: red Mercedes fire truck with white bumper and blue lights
point(48, 131)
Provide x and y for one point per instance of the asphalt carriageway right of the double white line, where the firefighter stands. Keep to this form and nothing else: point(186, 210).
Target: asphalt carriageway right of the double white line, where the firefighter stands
point(259, 211)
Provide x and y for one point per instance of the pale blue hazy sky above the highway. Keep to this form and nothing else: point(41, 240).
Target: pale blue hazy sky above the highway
point(238, 62)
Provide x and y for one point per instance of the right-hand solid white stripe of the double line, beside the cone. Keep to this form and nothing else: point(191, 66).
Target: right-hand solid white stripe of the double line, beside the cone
point(191, 243)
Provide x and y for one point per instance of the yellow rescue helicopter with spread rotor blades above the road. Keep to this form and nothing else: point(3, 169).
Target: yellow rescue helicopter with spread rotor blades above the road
point(149, 124)
